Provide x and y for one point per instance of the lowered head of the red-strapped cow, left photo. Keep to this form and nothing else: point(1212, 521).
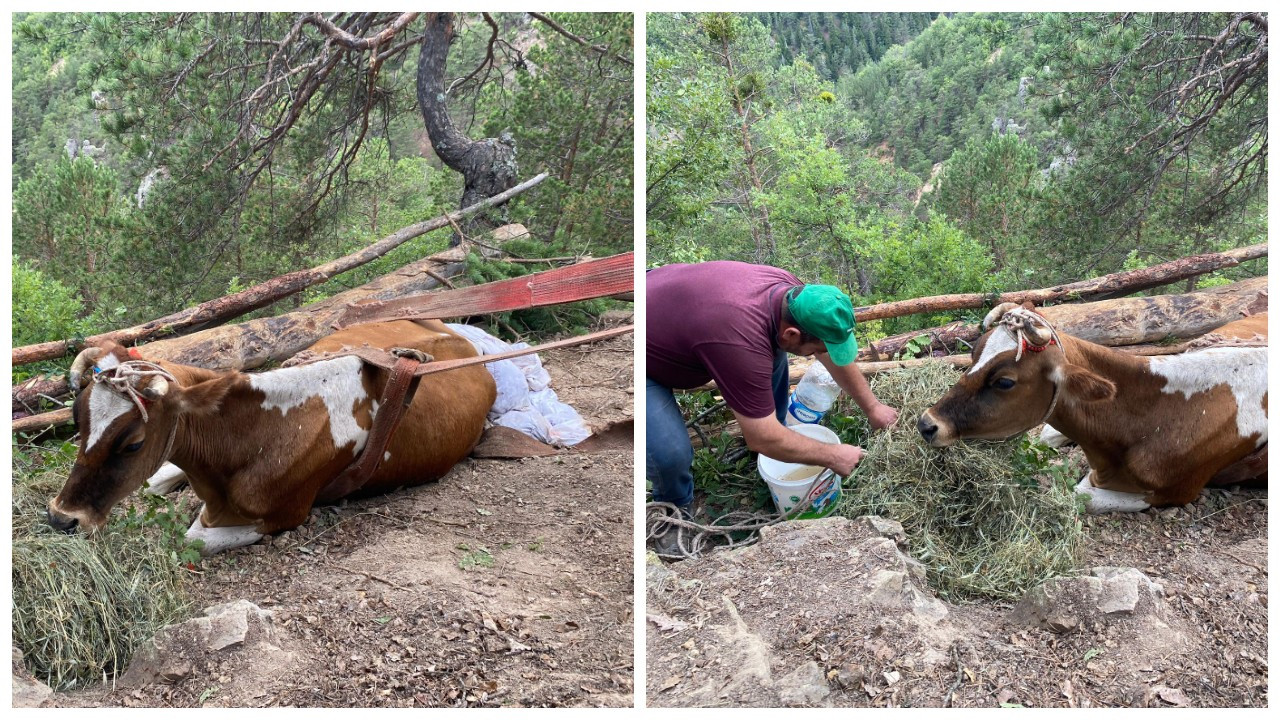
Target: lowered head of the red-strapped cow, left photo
point(127, 413)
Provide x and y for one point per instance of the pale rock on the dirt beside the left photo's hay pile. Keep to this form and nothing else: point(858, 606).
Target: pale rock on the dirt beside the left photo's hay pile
point(177, 650)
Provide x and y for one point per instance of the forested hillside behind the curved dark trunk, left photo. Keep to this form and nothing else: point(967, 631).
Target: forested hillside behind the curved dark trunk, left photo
point(162, 161)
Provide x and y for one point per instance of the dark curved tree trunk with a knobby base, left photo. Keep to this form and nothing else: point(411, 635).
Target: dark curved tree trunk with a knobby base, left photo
point(488, 167)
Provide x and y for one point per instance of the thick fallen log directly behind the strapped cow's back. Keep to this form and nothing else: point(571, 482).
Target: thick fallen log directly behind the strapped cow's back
point(253, 344)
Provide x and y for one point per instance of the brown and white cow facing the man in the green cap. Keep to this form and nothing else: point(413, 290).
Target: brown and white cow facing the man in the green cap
point(1155, 430)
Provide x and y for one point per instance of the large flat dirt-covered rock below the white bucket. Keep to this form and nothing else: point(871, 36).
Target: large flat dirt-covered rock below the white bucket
point(792, 621)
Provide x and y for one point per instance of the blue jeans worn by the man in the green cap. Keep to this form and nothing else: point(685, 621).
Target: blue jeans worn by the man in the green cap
point(669, 454)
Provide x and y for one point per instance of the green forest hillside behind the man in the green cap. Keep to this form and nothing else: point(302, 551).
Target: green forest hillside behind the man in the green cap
point(970, 153)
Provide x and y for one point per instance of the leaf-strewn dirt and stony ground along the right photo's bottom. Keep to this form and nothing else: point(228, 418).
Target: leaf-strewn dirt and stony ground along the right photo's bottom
point(797, 623)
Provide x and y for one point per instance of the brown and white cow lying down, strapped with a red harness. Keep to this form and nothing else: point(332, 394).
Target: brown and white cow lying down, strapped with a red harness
point(258, 449)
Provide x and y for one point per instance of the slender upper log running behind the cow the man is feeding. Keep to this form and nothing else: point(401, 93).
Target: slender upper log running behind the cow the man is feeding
point(1098, 289)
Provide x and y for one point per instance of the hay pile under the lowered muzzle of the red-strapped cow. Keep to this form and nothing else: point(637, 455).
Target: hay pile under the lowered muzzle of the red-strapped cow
point(83, 605)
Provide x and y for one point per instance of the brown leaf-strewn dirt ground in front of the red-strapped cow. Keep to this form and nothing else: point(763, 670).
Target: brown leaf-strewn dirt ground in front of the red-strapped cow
point(508, 584)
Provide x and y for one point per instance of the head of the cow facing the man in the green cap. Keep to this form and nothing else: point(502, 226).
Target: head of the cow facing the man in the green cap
point(1020, 373)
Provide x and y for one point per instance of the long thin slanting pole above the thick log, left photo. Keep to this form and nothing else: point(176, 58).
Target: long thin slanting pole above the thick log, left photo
point(262, 295)
